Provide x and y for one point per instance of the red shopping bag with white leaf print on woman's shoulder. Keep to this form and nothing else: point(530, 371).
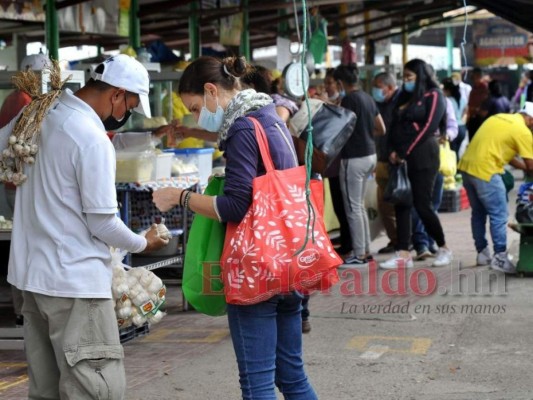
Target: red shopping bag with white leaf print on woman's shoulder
point(263, 254)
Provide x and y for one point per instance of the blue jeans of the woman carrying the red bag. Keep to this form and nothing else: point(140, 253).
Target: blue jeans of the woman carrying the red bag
point(267, 338)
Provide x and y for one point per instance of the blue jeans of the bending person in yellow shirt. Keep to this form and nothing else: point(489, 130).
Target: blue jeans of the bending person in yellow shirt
point(487, 199)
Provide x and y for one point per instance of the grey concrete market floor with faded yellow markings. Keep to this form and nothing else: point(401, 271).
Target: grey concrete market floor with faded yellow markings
point(468, 341)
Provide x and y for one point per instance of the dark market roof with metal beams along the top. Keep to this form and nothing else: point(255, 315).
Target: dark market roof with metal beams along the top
point(168, 20)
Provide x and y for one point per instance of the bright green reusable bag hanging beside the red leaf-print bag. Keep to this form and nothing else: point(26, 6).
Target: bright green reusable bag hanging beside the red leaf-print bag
point(202, 283)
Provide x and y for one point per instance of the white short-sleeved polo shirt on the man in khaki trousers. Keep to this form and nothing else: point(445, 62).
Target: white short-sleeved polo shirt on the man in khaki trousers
point(52, 250)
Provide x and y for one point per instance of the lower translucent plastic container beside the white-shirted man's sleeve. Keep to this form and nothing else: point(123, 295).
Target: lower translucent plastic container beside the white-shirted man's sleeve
point(134, 166)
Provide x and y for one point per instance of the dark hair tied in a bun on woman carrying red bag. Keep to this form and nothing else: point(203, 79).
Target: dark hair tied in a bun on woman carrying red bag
point(224, 73)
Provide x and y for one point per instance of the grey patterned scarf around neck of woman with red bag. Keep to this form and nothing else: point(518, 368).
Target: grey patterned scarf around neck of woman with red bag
point(243, 103)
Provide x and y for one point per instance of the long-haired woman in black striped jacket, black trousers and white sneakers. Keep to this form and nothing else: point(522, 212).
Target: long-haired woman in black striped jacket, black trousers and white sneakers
point(418, 112)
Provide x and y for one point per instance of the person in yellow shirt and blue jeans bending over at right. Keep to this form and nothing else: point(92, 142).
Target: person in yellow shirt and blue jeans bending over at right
point(499, 140)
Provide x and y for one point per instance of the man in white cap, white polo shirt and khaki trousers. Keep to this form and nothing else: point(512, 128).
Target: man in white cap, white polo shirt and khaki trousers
point(65, 220)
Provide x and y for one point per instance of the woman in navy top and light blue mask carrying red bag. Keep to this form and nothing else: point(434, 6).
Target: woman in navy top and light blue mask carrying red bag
point(267, 335)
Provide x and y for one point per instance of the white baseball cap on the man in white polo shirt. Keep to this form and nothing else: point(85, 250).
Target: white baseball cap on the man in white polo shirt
point(125, 72)
